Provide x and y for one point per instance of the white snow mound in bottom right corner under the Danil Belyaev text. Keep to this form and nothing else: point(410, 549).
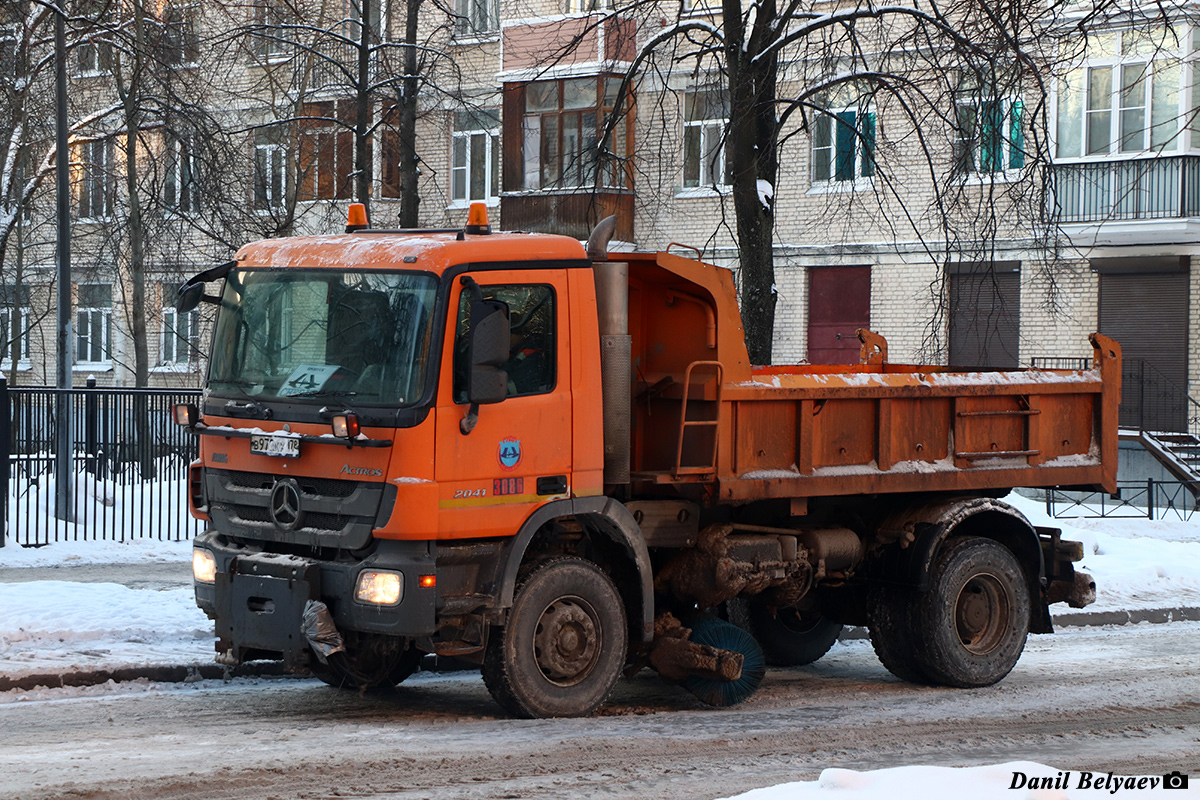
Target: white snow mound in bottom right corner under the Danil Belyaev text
point(1011, 781)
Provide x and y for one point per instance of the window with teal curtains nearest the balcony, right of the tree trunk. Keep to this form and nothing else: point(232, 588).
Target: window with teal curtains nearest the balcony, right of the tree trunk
point(989, 137)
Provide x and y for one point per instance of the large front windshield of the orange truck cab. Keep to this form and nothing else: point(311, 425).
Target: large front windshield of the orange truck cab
point(302, 334)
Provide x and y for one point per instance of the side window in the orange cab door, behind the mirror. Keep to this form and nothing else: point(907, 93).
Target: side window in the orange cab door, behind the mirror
point(532, 341)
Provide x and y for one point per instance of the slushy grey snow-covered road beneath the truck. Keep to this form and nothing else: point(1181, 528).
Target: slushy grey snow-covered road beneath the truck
point(1125, 701)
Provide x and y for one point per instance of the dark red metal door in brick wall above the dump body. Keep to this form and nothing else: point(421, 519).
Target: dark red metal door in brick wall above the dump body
point(839, 304)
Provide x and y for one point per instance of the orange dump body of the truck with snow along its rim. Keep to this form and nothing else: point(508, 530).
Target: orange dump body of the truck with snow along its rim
point(867, 429)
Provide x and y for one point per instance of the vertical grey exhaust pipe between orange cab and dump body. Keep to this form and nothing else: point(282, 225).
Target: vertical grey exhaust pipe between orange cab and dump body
point(616, 351)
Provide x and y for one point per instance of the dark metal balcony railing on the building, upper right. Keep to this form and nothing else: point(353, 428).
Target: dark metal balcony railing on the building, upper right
point(1165, 188)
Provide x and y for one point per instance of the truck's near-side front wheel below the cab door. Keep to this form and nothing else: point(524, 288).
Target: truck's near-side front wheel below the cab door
point(565, 645)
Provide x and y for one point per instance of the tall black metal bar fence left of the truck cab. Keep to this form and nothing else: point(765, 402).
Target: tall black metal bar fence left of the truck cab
point(129, 477)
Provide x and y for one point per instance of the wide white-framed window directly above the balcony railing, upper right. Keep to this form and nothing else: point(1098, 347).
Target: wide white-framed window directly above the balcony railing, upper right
point(1126, 99)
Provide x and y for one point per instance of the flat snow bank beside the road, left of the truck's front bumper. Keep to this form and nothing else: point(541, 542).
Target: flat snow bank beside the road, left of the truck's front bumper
point(55, 627)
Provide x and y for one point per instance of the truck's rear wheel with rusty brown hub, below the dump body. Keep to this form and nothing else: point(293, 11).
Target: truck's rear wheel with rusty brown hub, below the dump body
point(973, 623)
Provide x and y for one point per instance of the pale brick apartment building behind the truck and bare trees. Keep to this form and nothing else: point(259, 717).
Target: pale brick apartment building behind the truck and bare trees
point(523, 106)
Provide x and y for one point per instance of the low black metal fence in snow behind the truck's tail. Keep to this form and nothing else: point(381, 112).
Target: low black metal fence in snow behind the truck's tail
point(1133, 500)
